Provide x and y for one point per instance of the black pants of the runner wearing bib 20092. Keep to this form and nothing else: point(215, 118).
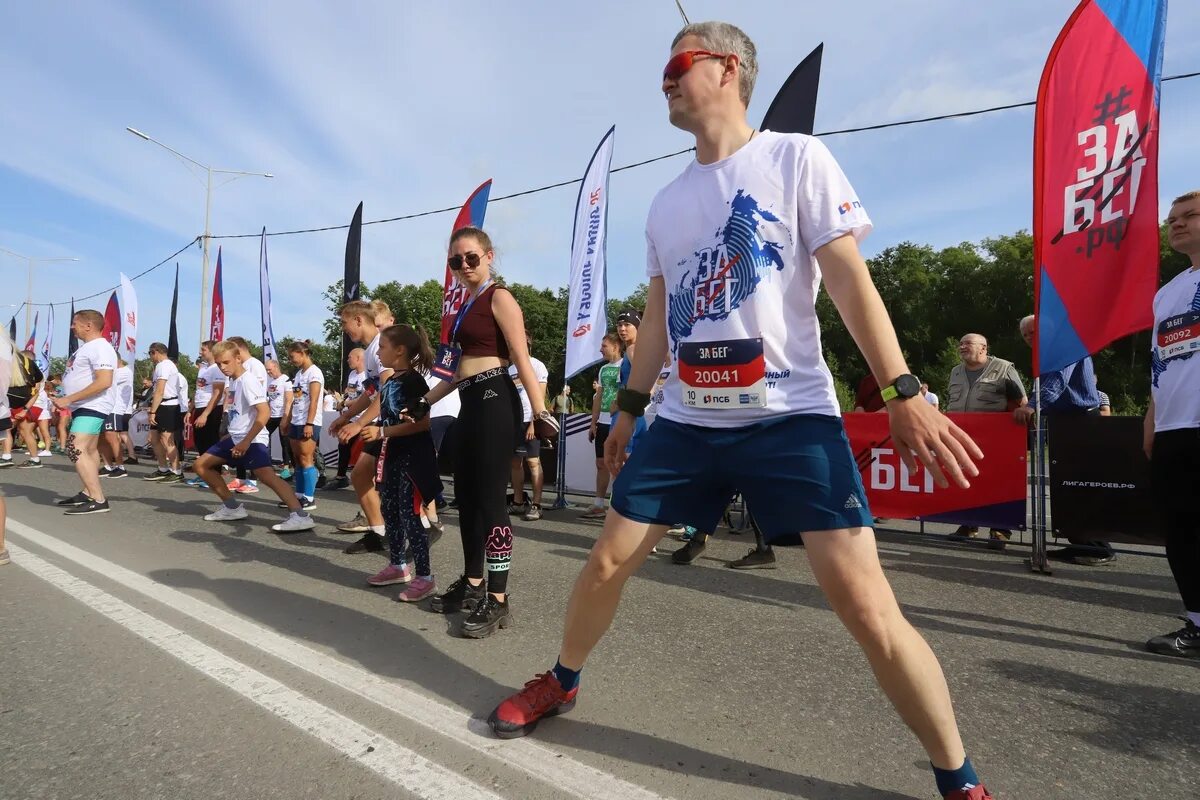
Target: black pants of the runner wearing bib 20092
point(1175, 474)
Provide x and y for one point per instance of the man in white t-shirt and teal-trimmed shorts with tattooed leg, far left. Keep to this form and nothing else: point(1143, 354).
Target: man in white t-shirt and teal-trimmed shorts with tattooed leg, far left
point(88, 394)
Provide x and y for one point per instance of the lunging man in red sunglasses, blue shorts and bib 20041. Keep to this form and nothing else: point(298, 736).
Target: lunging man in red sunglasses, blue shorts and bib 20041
point(737, 246)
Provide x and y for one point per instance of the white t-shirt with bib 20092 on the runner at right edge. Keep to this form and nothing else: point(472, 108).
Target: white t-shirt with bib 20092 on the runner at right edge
point(1175, 384)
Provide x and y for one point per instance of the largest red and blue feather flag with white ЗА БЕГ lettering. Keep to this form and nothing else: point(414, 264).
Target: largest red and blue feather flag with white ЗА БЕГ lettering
point(1096, 181)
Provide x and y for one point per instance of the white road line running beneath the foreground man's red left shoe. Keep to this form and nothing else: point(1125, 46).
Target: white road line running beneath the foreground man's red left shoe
point(561, 772)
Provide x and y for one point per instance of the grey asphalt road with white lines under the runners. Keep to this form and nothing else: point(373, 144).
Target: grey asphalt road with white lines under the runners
point(151, 654)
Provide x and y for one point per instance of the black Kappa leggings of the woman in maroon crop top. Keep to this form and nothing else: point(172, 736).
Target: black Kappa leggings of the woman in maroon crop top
point(485, 436)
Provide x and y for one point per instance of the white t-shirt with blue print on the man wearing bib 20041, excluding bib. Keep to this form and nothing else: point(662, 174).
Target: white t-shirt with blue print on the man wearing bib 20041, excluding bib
point(735, 244)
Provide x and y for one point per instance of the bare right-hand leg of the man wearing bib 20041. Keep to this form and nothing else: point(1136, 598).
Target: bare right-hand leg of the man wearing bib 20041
point(848, 569)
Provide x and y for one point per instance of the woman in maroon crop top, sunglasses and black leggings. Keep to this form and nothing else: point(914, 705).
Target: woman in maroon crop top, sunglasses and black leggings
point(490, 332)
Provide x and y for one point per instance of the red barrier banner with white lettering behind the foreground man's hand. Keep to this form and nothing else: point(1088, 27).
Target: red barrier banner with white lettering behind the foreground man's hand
point(997, 497)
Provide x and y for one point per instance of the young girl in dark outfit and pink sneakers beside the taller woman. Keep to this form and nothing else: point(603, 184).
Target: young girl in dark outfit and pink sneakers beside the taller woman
point(407, 470)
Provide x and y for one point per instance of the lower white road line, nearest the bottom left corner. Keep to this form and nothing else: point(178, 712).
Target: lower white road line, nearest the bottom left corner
point(398, 765)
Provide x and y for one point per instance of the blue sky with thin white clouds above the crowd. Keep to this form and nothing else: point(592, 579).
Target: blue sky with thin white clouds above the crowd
point(410, 106)
